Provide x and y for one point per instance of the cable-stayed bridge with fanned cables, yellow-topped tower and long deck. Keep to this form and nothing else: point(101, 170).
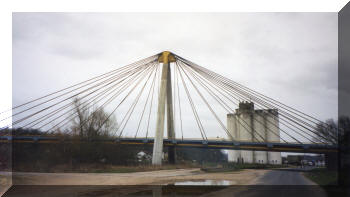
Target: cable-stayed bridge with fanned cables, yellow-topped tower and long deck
point(167, 92)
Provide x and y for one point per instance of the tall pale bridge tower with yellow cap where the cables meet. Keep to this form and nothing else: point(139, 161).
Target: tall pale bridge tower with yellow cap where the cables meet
point(165, 93)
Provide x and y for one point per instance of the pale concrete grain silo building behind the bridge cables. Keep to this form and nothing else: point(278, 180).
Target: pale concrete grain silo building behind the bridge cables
point(247, 124)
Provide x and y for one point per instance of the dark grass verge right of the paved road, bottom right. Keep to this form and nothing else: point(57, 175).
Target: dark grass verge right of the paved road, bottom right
point(322, 176)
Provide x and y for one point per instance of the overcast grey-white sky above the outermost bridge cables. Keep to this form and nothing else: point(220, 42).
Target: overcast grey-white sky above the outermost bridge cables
point(291, 57)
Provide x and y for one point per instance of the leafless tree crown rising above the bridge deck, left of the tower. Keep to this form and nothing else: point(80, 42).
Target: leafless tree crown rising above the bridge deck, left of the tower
point(92, 123)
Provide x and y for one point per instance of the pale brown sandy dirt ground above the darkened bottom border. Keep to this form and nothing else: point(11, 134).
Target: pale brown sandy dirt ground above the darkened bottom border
point(162, 177)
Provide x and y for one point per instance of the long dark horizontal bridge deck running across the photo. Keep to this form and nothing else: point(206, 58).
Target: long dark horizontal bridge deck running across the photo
point(213, 144)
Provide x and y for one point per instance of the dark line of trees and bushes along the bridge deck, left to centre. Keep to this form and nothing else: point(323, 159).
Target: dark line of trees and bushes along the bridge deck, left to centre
point(84, 150)
